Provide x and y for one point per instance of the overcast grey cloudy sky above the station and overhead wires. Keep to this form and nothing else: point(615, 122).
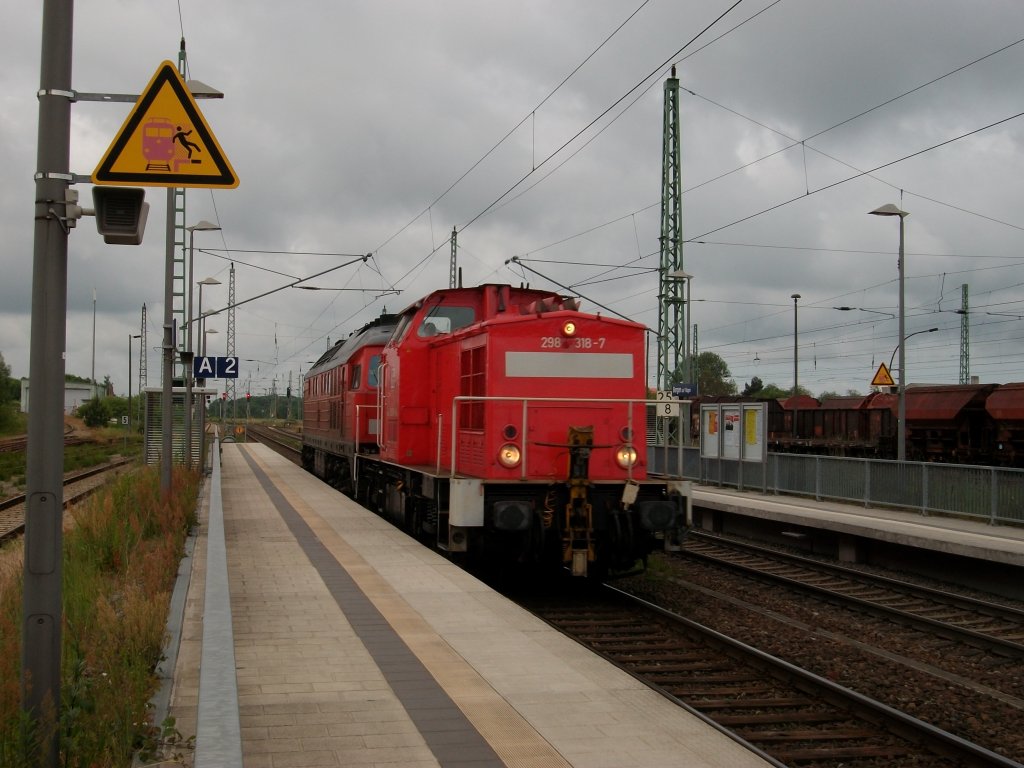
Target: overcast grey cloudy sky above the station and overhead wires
point(535, 127)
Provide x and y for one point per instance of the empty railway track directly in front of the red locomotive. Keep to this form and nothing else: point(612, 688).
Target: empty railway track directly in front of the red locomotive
point(792, 716)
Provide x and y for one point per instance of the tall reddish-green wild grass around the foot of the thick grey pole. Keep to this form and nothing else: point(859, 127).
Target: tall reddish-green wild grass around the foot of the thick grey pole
point(121, 561)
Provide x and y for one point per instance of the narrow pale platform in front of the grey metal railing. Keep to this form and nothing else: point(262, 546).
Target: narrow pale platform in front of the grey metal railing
point(951, 536)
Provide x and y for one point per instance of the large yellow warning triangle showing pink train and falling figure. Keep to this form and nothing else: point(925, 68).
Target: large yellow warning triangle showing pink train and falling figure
point(166, 142)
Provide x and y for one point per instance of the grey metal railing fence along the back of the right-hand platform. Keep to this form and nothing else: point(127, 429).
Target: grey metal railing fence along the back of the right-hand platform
point(993, 494)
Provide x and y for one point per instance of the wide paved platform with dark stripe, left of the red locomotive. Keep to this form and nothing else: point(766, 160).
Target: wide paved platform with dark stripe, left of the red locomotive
point(319, 635)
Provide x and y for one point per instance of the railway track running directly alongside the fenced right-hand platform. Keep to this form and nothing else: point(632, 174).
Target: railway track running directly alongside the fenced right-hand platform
point(988, 626)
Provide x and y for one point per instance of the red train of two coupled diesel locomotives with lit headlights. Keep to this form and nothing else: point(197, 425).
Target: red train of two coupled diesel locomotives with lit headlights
point(503, 423)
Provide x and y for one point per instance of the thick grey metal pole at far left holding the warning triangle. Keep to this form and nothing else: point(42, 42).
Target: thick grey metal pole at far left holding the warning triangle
point(45, 460)
